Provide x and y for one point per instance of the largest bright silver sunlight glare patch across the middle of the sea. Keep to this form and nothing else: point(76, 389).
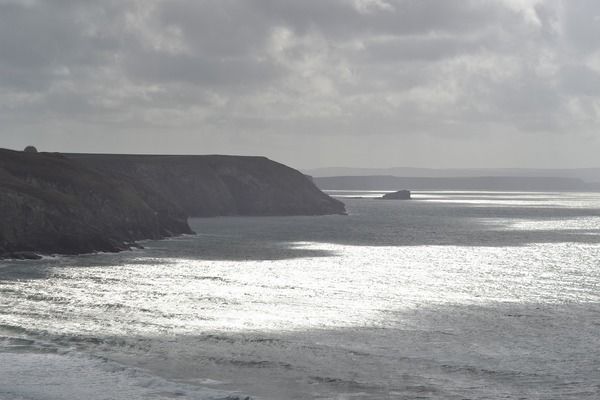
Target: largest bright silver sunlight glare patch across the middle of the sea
point(356, 287)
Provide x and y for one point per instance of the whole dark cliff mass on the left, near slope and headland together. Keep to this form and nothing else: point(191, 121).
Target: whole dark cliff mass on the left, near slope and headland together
point(79, 203)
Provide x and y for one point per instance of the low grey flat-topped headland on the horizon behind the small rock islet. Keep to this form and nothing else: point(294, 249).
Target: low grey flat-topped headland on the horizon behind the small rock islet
point(501, 183)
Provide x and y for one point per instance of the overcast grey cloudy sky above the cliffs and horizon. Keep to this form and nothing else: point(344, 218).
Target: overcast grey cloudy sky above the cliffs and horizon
point(310, 83)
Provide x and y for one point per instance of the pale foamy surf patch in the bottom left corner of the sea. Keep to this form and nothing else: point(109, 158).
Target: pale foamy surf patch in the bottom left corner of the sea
point(52, 376)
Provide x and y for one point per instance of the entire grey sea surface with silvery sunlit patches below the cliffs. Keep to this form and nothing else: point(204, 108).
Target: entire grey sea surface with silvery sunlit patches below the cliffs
point(453, 295)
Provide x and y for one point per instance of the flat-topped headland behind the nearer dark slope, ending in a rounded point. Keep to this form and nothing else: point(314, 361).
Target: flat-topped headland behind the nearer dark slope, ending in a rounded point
point(219, 185)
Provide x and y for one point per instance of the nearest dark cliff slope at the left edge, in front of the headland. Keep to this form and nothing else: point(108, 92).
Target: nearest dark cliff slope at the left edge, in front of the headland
point(51, 204)
